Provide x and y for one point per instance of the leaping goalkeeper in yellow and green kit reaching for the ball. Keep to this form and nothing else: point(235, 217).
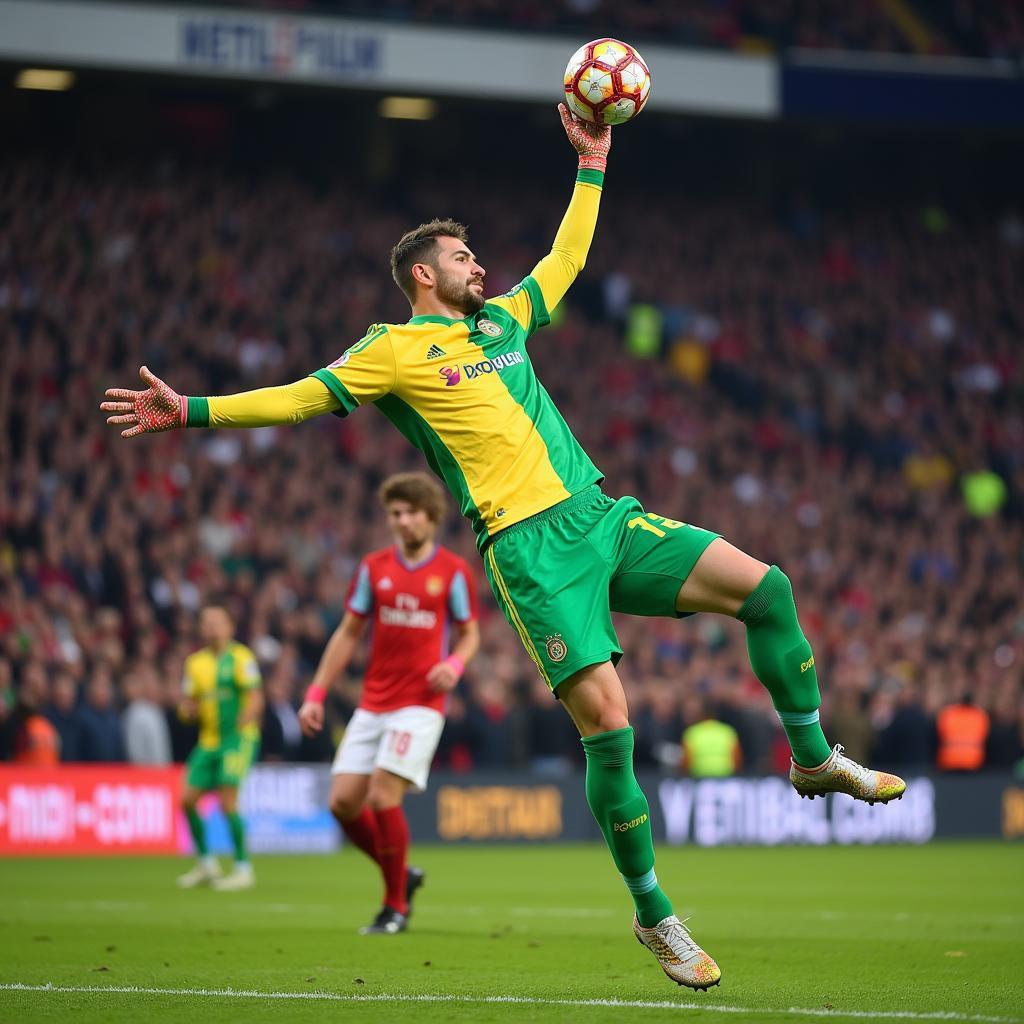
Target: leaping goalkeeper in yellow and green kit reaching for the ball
point(561, 556)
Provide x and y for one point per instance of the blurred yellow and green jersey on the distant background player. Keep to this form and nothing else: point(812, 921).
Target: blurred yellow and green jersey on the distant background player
point(219, 685)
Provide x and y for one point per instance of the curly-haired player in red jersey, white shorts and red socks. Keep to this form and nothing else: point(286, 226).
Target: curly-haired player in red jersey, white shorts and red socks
point(415, 594)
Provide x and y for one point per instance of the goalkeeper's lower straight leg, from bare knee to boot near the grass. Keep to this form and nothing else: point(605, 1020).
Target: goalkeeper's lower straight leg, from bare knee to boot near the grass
point(595, 700)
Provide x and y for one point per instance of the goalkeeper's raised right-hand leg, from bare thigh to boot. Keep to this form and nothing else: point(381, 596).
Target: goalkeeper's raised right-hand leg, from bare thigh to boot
point(728, 581)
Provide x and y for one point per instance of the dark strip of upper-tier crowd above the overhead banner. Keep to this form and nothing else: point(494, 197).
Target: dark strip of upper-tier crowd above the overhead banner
point(992, 29)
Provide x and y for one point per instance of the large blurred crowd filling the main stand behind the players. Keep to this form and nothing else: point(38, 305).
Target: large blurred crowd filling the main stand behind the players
point(838, 393)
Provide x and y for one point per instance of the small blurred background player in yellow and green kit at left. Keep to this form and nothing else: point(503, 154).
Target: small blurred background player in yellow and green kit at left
point(223, 691)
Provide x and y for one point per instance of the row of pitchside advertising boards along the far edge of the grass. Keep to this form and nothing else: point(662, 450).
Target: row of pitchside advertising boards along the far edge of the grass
point(120, 809)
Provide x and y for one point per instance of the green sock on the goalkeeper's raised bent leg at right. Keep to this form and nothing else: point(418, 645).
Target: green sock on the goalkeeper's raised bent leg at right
point(782, 659)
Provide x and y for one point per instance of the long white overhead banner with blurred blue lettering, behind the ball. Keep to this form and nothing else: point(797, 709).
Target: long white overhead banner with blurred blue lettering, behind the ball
point(218, 42)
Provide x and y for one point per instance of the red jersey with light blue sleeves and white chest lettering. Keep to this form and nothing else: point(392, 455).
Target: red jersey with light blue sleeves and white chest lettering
point(413, 608)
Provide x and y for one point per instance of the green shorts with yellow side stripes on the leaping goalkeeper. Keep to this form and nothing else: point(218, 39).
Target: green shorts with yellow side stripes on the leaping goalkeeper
point(560, 575)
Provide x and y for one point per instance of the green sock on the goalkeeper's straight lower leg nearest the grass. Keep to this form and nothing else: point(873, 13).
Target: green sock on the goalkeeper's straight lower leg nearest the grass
point(621, 809)
